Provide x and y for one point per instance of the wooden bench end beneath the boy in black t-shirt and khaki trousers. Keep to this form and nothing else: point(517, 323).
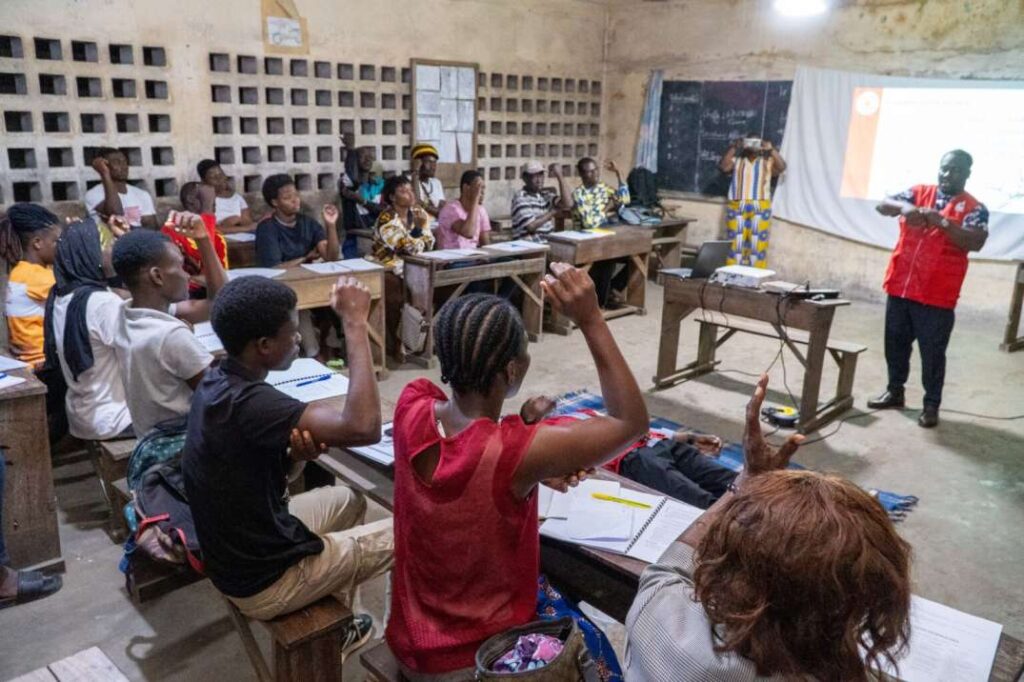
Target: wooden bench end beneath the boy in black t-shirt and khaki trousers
point(307, 644)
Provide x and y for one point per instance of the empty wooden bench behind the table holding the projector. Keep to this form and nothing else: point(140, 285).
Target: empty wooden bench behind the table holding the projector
point(843, 353)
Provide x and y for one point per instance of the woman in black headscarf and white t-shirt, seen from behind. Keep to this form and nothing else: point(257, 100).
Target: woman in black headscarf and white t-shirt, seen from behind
point(82, 318)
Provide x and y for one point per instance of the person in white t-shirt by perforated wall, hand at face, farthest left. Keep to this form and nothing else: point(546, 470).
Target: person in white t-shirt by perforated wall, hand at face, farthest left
point(114, 196)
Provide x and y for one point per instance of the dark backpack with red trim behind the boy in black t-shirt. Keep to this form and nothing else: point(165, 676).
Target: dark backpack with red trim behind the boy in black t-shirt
point(158, 515)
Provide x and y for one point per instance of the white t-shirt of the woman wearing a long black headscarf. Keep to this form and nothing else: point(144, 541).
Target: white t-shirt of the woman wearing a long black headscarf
point(97, 406)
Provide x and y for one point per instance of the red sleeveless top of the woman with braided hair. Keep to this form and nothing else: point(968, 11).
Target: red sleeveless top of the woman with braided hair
point(466, 551)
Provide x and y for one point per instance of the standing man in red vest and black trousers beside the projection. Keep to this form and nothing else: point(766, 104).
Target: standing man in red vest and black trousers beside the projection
point(938, 227)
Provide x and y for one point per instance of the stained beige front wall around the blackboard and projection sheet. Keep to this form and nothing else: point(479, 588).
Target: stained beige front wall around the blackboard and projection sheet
point(744, 40)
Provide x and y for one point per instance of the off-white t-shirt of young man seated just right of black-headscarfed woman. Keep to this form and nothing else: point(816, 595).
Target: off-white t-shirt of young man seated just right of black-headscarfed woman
point(157, 354)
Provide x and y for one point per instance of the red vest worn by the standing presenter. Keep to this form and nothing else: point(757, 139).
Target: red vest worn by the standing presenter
point(926, 266)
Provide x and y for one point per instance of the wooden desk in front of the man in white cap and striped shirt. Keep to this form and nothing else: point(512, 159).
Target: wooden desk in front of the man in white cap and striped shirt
point(632, 243)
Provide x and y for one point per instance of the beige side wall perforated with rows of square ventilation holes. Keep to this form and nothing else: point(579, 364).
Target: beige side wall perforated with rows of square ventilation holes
point(527, 38)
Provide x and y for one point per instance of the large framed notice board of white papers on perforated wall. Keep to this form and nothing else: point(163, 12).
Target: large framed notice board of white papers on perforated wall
point(445, 111)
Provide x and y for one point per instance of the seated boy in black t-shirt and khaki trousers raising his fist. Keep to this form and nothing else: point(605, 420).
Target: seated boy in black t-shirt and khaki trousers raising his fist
point(269, 556)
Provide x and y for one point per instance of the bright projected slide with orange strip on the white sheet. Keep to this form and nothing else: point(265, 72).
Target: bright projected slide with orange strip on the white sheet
point(898, 136)
